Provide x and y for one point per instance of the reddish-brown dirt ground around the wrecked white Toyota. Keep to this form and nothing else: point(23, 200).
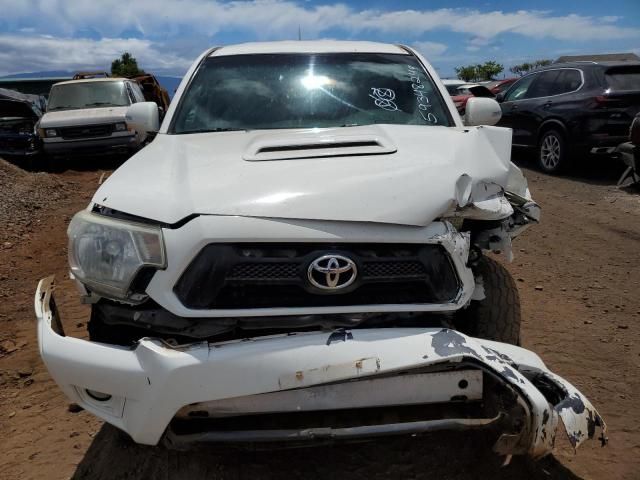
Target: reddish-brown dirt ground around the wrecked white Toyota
point(579, 282)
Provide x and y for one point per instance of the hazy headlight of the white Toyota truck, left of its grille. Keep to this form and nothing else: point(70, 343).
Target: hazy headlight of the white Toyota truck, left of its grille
point(106, 254)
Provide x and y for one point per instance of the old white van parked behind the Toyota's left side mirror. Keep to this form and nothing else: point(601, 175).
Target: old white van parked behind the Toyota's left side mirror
point(88, 116)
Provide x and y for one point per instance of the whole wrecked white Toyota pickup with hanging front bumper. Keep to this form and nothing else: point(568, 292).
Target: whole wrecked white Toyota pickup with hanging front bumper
point(287, 260)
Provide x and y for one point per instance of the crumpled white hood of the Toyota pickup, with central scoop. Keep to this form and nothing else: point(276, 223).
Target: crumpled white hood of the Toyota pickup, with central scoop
point(382, 173)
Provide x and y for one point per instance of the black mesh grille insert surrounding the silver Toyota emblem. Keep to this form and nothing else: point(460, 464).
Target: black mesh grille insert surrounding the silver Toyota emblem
point(224, 276)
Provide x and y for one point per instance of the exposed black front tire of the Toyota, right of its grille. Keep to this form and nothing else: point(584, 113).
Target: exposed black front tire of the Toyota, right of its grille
point(497, 316)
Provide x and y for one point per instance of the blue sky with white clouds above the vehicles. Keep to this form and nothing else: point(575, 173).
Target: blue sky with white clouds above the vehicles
point(166, 36)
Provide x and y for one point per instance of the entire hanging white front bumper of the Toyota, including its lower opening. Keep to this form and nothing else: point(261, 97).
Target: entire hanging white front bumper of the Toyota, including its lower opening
point(317, 386)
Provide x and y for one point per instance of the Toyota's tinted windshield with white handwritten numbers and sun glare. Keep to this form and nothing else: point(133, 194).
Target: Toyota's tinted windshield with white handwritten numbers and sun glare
point(247, 92)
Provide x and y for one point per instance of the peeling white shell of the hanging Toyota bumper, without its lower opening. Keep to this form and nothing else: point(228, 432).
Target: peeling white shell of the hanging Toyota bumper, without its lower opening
point(150, 382)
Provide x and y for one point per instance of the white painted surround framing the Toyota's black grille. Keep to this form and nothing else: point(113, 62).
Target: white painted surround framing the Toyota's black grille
point(183, 244)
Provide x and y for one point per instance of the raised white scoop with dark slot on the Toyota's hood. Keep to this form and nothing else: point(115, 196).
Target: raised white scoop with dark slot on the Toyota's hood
point(313, 144)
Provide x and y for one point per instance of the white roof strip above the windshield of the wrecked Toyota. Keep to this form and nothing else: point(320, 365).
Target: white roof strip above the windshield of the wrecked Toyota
point(306, 46)
